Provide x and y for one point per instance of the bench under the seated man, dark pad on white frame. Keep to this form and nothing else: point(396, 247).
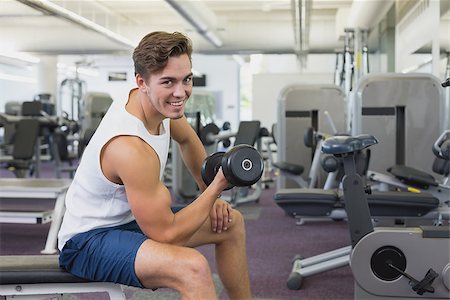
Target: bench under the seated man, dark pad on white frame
point(39, 277)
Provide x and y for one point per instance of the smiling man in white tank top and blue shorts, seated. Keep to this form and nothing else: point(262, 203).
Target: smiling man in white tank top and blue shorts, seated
point(118, 225)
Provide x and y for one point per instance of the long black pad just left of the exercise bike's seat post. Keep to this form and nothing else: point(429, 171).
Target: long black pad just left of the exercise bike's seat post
point(306, 202)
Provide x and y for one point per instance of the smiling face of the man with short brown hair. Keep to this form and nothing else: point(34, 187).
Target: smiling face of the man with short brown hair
point(170, 88)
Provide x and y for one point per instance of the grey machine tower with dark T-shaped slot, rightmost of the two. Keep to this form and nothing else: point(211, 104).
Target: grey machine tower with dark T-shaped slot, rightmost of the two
point(406, 112)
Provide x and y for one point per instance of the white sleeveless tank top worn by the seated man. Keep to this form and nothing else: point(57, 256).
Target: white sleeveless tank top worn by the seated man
point(92, 201)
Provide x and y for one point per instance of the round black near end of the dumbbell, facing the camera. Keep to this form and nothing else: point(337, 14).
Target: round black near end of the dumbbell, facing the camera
point(242, 165)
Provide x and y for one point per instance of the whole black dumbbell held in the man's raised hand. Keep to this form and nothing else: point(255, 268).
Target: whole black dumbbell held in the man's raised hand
point(242, 165)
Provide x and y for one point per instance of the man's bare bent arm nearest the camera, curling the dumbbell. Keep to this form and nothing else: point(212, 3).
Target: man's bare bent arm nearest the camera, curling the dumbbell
point(135, 164)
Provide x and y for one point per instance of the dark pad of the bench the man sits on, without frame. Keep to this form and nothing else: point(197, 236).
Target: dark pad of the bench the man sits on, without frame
point(28, 269)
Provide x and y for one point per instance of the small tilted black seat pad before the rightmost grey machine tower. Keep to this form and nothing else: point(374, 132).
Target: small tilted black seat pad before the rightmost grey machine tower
point(413, 176)
